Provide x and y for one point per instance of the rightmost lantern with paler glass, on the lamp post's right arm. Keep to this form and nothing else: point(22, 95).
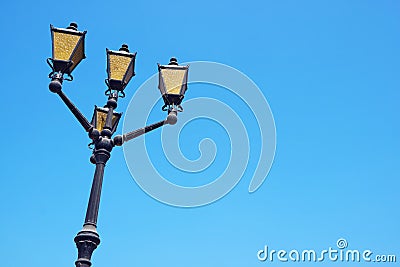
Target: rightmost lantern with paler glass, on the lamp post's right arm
point(173, 82)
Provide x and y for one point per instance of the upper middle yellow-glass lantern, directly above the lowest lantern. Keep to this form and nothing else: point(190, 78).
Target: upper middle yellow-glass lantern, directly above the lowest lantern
point(120, 68)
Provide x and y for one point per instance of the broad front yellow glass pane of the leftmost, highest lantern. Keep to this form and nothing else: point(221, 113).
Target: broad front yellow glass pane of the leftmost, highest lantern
point(64, 44)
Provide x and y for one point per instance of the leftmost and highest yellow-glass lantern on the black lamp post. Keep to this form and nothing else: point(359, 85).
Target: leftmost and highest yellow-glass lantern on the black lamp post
point(68, 47)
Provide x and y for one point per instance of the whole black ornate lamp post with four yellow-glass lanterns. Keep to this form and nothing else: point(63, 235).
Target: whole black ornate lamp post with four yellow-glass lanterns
point(68, 51)
